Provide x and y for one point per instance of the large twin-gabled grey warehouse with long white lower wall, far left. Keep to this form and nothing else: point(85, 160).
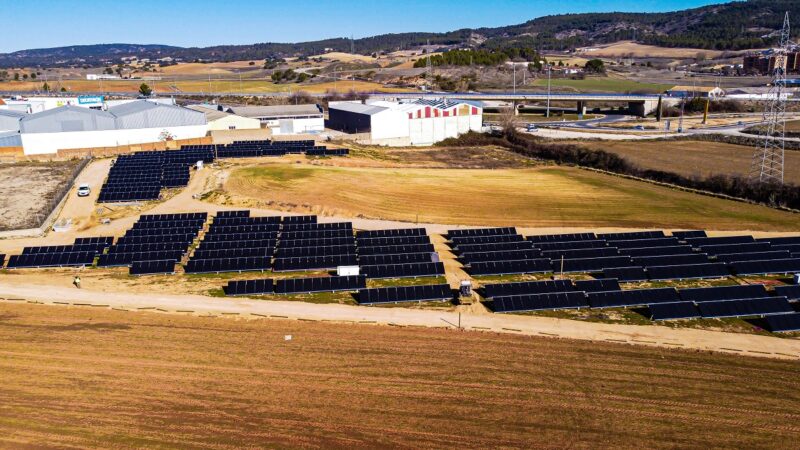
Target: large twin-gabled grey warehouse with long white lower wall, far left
point(73, 127)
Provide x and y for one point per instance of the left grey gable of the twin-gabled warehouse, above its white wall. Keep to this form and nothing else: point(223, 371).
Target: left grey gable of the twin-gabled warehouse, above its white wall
point(67, 118)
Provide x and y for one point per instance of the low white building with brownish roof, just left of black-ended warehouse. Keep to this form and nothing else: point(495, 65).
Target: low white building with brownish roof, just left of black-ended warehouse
point(285, 119)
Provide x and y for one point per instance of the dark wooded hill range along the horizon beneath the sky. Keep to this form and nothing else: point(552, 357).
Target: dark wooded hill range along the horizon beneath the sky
point(729, 26)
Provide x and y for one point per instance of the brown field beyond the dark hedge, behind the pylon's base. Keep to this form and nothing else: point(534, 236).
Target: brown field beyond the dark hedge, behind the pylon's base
point(693, 158)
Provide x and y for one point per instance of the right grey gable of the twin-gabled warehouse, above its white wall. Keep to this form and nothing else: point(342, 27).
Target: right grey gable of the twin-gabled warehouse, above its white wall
point(144, 114)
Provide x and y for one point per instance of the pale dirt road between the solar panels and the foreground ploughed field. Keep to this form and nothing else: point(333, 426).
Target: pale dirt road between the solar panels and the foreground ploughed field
point(753, 345)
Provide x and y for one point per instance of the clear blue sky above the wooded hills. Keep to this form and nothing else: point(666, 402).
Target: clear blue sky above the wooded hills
point(199, 23)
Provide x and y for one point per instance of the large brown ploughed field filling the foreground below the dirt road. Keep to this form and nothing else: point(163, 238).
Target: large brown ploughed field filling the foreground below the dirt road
point(94, 378)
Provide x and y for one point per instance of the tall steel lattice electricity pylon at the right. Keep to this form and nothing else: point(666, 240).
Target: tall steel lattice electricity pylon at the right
point(767, 164)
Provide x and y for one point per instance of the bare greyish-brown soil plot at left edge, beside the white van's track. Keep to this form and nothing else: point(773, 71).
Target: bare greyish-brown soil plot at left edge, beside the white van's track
point(28, 188)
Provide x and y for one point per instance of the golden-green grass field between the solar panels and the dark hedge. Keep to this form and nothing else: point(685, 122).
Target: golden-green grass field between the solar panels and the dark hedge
point(532, 197)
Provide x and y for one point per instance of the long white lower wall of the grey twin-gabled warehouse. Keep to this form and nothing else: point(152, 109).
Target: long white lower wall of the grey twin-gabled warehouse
point(48, 143)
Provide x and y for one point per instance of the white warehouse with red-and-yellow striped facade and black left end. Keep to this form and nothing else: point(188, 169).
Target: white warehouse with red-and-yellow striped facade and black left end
point(420, 122)
